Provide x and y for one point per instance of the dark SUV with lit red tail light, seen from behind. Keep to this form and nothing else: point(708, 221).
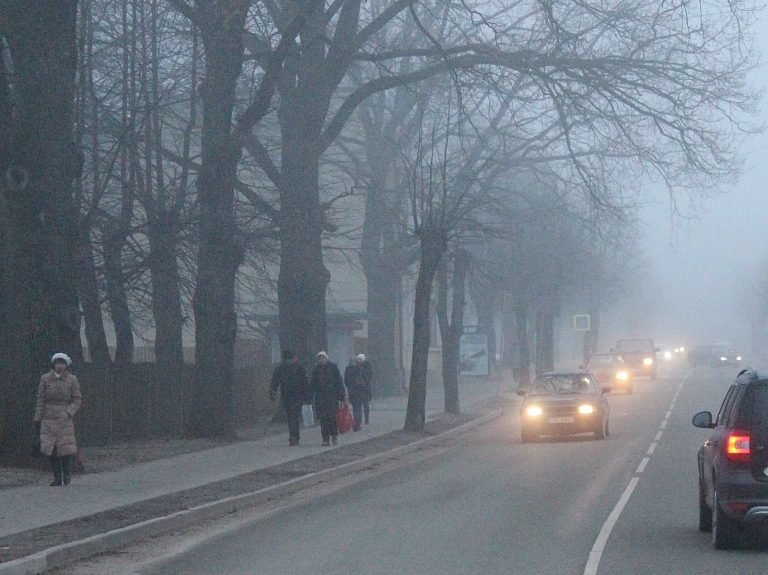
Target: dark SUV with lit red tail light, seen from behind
point(733, 462)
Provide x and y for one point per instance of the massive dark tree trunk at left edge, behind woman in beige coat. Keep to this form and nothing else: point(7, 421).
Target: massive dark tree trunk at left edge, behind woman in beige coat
point(39, 314)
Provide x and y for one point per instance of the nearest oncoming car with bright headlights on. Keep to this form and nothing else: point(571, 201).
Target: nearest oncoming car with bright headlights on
point(564, 403)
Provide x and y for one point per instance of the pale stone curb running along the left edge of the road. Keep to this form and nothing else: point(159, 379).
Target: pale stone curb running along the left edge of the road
point(62, 555)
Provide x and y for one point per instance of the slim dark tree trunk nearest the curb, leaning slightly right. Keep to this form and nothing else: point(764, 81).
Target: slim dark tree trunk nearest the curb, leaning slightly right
point(433, 244)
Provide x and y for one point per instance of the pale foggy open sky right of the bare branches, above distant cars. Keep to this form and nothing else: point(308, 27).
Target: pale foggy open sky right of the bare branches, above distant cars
point(704, 266)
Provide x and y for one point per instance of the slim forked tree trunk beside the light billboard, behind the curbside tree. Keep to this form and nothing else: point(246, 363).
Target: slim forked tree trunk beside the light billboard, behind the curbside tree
point(451, 329)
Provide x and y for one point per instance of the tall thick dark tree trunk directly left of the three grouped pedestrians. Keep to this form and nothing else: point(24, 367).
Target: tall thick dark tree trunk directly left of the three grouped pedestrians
point(220, 253)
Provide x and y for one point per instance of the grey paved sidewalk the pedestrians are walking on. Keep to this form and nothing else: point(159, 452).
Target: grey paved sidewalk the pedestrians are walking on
point(26, 508)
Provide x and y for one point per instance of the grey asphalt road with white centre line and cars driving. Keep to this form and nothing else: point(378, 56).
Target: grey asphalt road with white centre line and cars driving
point(486, 504)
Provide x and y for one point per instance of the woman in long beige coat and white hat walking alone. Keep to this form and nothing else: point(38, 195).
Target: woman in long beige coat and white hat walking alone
point(58, 399)
